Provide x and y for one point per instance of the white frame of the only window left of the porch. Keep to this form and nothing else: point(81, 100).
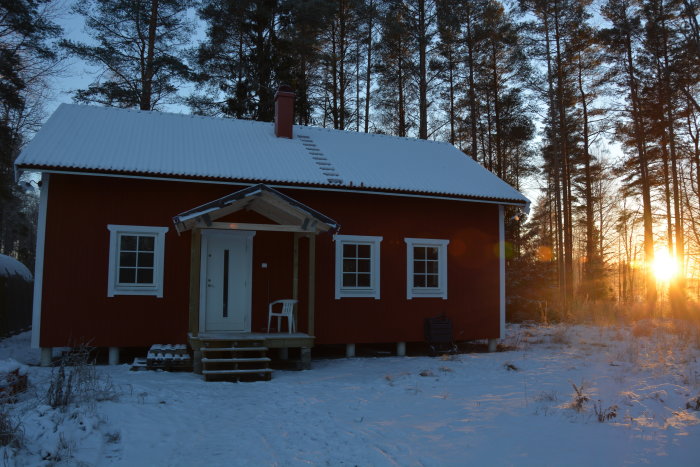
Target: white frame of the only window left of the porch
point(113, 286)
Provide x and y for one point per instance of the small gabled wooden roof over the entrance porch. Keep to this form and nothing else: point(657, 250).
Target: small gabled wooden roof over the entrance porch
point(292, 215)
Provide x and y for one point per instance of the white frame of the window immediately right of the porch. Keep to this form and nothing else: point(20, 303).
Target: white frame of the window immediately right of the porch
point(373, 290)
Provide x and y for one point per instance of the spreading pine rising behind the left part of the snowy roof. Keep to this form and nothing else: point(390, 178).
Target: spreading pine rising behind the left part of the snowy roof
point(137, 52)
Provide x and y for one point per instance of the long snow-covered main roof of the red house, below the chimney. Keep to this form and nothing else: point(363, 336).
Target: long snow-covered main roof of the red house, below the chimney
point(90, 138)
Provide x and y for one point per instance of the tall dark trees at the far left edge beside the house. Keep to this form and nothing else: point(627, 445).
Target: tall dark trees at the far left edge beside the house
point(27, 62)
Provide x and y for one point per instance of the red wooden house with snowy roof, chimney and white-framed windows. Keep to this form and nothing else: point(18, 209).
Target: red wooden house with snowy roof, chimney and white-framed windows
point(158, 228)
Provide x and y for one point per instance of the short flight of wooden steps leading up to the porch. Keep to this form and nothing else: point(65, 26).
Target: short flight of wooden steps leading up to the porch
point(235, 360)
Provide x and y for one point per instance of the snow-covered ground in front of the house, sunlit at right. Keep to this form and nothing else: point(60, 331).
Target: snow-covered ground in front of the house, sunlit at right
point(517, 407)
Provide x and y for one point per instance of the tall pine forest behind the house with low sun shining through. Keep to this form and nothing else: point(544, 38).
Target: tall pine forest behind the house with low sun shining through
point(590, 107)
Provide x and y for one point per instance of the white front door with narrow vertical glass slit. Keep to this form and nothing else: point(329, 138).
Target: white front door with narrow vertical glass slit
point(226, 280)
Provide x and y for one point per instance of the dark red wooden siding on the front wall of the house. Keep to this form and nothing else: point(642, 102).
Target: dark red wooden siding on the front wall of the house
point(75, 306)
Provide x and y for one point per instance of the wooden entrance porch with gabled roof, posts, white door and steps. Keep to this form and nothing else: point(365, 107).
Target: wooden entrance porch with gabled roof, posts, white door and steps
point(221, 319)
